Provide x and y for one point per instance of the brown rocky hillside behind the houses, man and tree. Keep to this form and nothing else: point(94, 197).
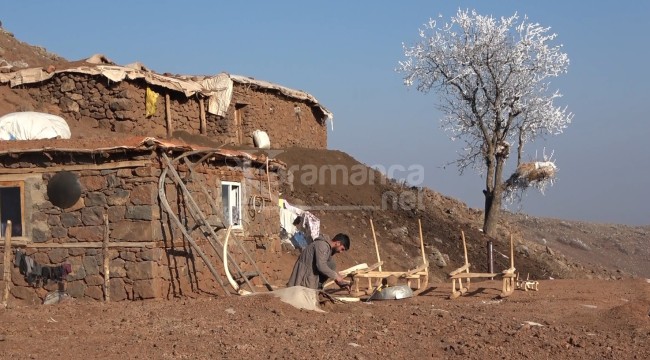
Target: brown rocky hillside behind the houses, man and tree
point(545, 248)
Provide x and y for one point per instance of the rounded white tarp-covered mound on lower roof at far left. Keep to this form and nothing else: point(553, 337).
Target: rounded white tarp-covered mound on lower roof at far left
point(31, 125)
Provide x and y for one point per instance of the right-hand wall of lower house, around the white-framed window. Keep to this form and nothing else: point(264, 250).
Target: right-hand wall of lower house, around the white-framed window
point(183, 270)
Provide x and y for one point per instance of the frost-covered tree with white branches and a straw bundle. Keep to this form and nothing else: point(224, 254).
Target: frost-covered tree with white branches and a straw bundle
point(492, 76)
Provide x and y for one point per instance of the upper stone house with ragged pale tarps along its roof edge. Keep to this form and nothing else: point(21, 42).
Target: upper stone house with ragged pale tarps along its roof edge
point(131, 99)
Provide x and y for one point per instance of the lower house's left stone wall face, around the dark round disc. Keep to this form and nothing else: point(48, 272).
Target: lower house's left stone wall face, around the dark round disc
point(128, 198)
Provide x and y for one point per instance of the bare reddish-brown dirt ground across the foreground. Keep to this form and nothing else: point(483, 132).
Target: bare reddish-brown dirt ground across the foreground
point(565, 319)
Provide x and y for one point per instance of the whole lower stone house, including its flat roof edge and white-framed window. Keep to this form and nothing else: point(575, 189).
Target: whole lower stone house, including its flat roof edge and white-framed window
point(142, 205)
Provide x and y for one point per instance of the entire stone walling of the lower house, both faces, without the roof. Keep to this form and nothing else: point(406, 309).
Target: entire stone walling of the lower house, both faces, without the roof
point(168, 266)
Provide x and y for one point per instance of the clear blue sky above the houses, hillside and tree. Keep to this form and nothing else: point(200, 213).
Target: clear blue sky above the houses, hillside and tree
point(345, 52)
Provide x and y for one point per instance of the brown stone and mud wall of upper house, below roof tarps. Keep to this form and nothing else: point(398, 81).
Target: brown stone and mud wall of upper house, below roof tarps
point(96, 102)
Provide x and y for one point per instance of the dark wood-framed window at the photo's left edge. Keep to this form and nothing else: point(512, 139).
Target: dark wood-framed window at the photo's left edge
point(11, 207)
